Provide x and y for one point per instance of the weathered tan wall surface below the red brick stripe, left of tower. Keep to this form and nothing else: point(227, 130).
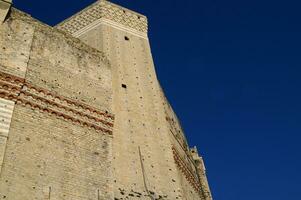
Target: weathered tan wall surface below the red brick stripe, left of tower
point(46, 154)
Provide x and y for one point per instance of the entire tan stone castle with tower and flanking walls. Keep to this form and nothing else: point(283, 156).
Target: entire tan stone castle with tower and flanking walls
point(82, 114)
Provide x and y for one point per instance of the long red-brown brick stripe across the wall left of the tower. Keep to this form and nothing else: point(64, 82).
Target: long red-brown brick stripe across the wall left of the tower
point(16, 89)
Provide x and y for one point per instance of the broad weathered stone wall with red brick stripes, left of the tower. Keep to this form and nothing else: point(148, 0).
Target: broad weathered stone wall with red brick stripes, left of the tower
point(59, 143)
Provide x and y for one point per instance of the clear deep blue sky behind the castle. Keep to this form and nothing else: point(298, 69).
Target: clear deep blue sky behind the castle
point(231, 70)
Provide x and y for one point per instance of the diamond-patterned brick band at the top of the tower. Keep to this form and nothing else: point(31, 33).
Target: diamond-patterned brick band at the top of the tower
point(103, 11)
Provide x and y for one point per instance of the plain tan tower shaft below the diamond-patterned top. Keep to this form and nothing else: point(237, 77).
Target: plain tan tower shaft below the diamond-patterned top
point(138, 118)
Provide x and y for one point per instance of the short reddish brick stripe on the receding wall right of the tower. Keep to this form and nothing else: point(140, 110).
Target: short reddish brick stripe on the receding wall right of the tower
point(189, 175)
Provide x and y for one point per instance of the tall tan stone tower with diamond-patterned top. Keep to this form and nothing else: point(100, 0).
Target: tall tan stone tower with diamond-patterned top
point(145, 128)
